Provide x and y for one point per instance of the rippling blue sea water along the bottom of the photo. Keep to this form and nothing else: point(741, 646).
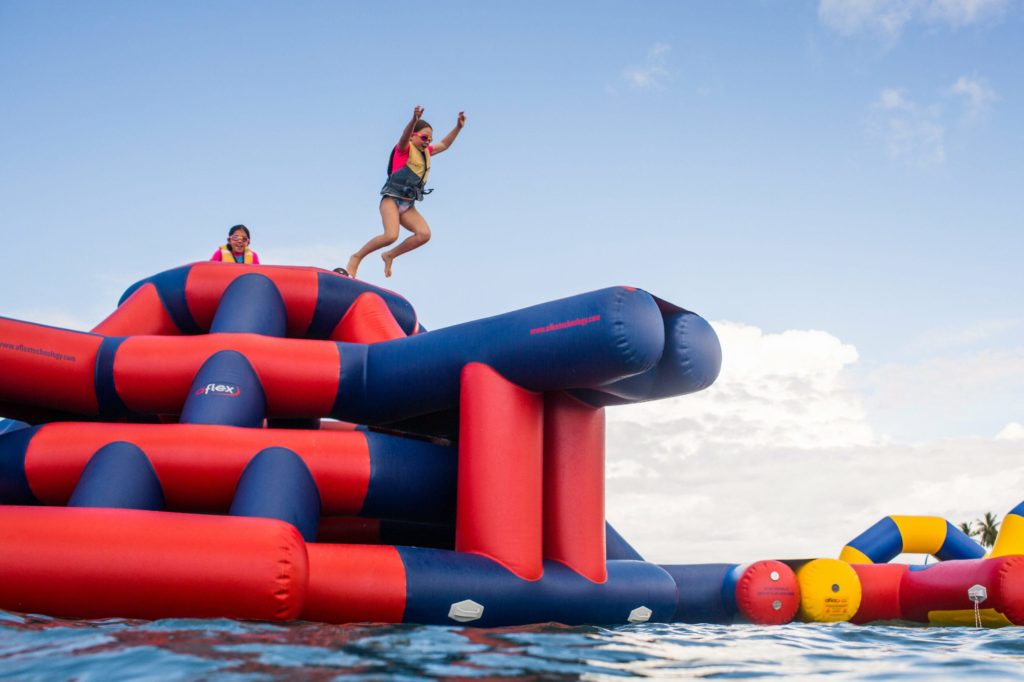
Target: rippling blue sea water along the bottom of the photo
point(34, 648)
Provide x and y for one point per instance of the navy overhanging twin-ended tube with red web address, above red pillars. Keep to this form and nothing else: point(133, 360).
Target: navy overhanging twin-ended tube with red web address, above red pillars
point(587, 342)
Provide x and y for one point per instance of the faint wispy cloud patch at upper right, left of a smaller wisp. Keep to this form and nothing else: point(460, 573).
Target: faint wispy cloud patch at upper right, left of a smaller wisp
point(910, 133)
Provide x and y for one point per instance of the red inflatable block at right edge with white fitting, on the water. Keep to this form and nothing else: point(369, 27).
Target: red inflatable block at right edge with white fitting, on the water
point(944, 588)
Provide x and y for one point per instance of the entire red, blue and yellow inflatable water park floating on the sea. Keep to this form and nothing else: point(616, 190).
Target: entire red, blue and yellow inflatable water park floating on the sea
point(283, 443)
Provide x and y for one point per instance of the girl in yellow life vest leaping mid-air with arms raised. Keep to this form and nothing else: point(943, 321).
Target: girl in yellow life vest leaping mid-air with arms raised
point(406, 185)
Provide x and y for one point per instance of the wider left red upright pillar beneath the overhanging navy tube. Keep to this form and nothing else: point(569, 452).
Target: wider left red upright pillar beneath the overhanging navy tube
point(500, 491)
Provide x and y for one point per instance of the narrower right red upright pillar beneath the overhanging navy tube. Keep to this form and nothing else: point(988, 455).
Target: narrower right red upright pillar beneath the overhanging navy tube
point(574, 486)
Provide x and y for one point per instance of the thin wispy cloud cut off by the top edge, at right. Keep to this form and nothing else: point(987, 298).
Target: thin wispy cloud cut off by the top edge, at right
point(888, 19)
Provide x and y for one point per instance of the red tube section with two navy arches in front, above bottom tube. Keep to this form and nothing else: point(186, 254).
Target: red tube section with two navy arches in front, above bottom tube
point(199, 465)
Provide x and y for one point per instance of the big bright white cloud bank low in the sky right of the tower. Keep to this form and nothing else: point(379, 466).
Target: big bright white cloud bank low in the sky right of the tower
point(781, 458)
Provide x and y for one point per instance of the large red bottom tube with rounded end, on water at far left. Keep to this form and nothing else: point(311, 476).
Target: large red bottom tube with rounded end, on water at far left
point(114, 563)
